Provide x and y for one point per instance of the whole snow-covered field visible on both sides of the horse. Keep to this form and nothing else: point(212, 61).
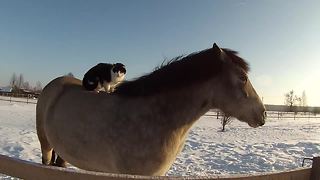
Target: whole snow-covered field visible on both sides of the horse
point(278, 145)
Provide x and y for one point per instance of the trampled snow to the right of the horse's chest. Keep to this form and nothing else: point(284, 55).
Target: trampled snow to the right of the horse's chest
point(278, 145)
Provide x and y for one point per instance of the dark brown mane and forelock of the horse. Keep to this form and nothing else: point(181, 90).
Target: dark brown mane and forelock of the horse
point(180, 72)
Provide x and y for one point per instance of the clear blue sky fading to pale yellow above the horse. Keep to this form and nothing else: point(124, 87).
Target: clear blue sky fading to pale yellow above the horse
point(280, 39)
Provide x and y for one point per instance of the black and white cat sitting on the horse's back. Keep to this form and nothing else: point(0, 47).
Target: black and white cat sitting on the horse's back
point(104, 75)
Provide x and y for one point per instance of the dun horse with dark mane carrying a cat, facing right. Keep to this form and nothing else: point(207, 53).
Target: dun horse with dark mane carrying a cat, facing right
point(141, 127)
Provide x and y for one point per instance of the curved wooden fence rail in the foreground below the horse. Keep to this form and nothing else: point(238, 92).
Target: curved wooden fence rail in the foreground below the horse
point(29, 170)
